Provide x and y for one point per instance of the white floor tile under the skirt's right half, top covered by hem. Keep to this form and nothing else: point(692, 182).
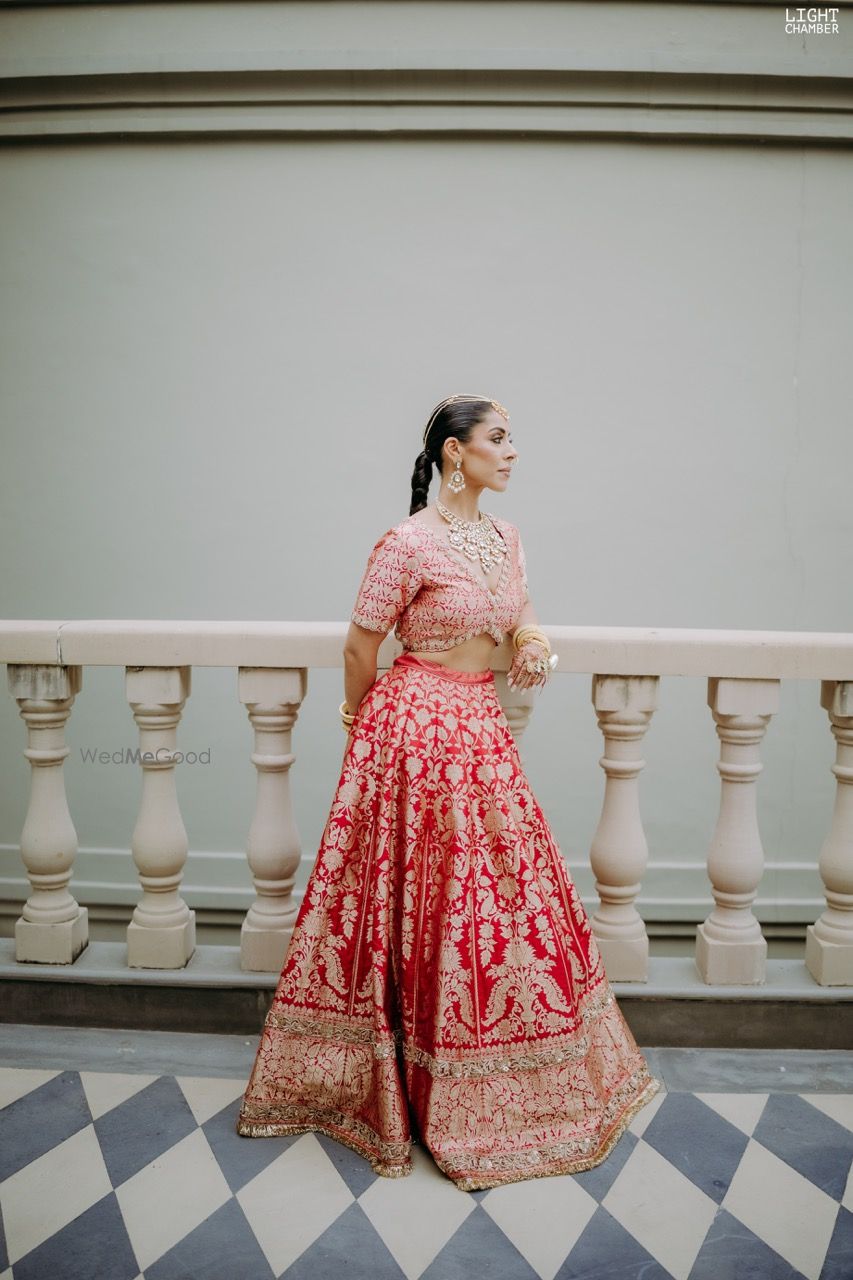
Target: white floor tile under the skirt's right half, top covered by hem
point(544, 1218)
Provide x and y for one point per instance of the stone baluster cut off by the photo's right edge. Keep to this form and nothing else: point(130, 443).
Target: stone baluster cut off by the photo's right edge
point(829, 943)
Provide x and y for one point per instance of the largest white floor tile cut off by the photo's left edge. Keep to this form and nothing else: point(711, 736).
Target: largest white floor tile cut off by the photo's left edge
point(52, 1191)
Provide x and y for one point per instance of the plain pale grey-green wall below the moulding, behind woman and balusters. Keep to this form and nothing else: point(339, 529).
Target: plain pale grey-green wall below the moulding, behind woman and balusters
point(217, 362)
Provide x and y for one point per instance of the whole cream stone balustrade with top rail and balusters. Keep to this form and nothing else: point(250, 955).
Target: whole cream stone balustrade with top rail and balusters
point(743, 670)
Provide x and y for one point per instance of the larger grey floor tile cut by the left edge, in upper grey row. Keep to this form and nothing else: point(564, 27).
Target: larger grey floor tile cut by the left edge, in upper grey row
point(40, 1121)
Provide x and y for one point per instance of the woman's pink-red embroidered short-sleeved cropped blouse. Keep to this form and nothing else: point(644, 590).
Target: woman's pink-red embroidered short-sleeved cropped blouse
point(419, 583)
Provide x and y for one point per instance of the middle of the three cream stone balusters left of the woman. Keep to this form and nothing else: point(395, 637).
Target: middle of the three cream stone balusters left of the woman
point(162, 934)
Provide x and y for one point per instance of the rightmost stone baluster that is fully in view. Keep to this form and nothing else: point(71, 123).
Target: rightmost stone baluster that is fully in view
point(731, 947)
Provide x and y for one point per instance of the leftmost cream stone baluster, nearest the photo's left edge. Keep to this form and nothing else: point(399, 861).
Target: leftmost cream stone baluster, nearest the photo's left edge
point(53, 929)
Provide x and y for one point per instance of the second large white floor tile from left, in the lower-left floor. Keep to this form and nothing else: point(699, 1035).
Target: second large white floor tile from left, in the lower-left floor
point(171, 1197)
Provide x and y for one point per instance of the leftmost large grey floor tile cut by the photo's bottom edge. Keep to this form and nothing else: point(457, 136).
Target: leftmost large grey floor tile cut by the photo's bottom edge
point(95, 1245)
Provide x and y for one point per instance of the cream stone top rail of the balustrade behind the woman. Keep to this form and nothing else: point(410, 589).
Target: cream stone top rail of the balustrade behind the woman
point(605, 651)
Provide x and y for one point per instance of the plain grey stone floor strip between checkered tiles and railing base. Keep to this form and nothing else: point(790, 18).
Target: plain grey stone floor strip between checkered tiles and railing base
point(24, 1045)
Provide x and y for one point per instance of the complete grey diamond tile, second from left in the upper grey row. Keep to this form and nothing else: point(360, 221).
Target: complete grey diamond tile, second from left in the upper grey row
point(139, 1131)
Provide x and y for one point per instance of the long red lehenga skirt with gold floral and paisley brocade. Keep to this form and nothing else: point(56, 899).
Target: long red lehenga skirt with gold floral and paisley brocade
point(443, 982)
